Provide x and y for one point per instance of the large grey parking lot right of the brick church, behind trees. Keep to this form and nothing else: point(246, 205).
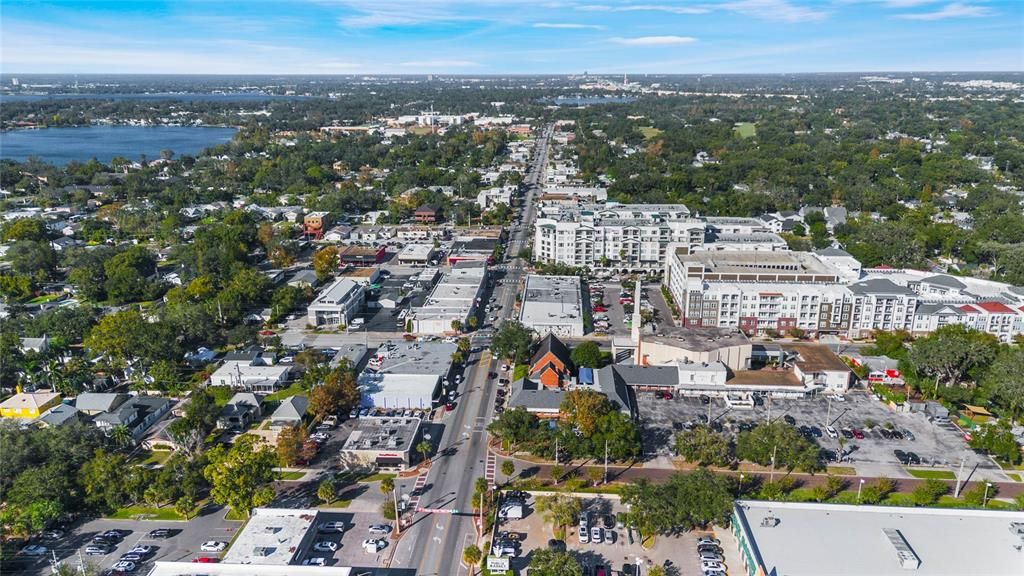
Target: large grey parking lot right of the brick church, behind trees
point(937, 444)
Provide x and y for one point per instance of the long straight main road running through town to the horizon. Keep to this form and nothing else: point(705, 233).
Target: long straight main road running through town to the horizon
point(435, 542)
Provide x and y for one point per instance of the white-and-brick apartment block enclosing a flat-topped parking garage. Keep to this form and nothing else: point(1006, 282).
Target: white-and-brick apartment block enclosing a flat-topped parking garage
point(758, 292)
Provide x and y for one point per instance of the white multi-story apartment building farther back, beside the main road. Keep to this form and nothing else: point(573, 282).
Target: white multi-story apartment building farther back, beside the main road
point(630, 238)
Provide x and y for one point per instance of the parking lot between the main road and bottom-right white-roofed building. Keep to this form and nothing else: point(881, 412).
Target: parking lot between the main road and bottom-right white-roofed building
point(621, 554)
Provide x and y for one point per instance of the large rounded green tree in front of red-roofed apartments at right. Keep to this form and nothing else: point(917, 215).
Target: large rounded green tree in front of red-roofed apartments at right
point(952, 352)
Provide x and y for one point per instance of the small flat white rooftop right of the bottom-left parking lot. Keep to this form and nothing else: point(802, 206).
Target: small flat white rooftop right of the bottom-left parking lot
point(272, 537)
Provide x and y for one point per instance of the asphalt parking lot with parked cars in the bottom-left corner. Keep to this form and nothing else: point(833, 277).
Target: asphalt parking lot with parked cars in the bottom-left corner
point(183, 546)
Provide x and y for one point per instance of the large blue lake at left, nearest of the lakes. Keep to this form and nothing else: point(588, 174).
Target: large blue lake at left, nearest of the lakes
point(61, 146)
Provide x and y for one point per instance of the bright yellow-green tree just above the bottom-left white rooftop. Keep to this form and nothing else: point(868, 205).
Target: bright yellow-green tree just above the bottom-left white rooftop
point(240, 477)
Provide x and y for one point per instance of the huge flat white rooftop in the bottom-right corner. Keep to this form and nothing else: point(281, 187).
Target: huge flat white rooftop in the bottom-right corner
point(840, 540)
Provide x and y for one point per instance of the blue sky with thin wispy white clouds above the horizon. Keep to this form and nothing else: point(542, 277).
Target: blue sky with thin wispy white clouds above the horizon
point(509, 36)
